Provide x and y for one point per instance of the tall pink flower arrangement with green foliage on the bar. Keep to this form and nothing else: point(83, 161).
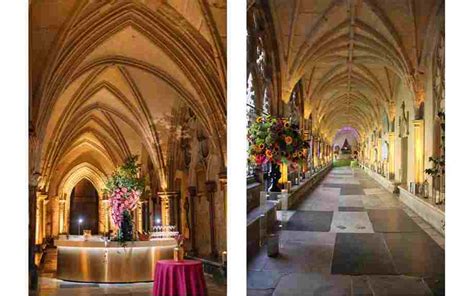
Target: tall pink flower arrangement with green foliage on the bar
point(124, 189)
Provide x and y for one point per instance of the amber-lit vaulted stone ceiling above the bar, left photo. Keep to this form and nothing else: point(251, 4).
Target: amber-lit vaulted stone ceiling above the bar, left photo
point(112, 78)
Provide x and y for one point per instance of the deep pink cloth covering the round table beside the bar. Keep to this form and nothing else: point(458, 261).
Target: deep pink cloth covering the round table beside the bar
point(179, 278)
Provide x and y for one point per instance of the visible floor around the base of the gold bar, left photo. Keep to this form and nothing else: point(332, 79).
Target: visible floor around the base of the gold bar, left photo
point(49, 286)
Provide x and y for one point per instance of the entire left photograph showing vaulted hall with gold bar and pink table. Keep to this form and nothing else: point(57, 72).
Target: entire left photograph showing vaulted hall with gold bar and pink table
point(127, 147)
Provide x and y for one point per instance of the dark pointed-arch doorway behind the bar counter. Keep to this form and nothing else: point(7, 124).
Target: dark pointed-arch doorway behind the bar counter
point(84, 206)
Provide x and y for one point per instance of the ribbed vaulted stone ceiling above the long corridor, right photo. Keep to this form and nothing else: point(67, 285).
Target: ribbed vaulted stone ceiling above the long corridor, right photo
point(352, 55)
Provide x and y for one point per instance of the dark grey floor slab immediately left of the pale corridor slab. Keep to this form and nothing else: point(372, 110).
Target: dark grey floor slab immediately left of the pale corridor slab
point(310, 221)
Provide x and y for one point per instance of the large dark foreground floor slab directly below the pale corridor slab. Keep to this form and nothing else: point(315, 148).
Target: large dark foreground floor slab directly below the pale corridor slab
point(361, 253)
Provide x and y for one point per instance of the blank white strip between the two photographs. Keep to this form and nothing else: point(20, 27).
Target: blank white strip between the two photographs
point(236, 147)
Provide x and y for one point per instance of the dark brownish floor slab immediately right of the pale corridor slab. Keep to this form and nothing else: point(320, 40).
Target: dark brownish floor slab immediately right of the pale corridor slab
point(392, 220)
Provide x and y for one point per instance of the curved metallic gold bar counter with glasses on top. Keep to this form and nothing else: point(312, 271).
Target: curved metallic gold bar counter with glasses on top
point(96, 261)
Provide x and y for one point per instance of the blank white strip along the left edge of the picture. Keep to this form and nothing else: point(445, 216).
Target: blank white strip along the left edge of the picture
point(14, 148)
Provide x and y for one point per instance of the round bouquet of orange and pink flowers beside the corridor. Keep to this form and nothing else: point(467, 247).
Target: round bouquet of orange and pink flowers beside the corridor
point(275, 140)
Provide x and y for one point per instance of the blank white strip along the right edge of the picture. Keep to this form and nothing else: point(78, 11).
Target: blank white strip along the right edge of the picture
point(459, 143)
